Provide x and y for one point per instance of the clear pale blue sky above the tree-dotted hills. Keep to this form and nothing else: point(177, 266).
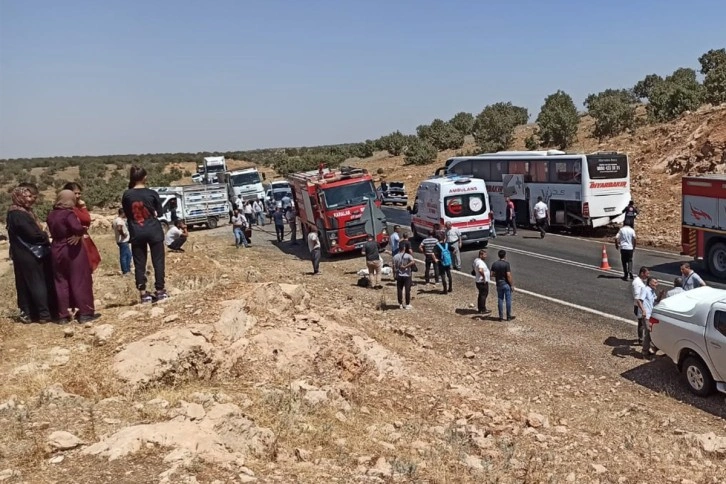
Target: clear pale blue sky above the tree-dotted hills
point(115, 77)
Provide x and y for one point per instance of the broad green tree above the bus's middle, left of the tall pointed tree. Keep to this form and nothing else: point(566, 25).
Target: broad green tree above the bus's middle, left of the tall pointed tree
point(494, 126)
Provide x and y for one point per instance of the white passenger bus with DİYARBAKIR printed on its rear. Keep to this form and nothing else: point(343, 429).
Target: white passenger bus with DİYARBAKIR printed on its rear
point(590, 190)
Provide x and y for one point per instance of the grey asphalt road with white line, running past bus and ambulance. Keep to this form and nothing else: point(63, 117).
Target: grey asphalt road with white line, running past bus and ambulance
point(568, 268)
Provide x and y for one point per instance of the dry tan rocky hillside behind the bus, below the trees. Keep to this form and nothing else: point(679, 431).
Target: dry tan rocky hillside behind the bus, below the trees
point(659, 155)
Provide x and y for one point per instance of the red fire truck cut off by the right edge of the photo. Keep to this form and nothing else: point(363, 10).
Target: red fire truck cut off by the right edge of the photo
point(703, 233)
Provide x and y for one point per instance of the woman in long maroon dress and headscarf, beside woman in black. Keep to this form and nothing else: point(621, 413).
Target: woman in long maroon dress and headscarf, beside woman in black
point(72, 269)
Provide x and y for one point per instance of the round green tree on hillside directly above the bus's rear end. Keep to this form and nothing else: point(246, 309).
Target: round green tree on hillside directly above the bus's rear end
point(613, 111)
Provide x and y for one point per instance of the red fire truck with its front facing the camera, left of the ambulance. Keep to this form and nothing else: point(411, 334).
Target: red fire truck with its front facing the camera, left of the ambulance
point(341, 205)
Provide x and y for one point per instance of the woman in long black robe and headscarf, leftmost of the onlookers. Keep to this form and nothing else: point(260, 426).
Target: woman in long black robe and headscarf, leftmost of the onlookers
point(30, 253)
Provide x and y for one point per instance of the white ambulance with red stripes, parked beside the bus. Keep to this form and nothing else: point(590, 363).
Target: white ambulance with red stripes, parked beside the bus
point(461, 200)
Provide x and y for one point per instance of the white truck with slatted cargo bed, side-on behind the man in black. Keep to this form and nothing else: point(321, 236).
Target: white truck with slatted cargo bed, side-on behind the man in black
point(195, 204)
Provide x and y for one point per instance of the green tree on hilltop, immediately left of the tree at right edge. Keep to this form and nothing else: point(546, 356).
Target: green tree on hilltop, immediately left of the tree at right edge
point(678, 93)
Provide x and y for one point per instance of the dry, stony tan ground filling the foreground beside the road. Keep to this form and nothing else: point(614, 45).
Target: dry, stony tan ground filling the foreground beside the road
point(257, 371)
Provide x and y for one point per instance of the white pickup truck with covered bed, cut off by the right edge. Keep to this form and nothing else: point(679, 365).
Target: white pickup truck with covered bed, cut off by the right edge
point(690, 328)
